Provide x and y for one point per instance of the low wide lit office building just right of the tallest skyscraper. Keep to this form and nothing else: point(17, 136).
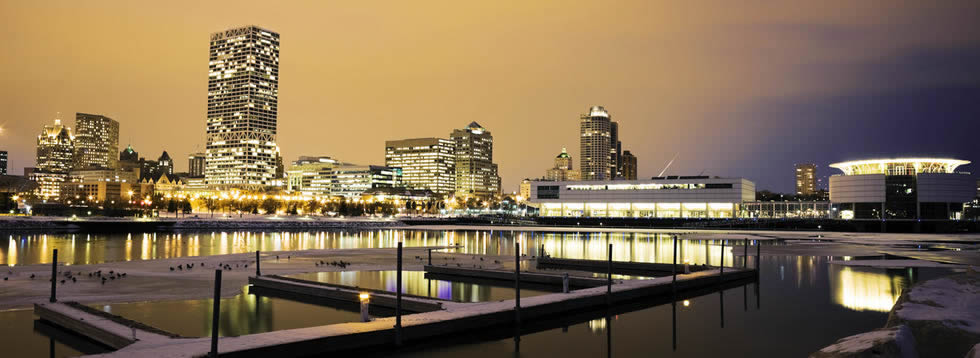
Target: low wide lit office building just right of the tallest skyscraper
point(324, 176)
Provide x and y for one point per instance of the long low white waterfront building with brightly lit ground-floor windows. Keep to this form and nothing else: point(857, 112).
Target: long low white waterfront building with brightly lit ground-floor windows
point(663, 197)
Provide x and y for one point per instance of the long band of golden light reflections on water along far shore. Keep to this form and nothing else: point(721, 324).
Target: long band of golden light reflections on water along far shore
point(27, 249)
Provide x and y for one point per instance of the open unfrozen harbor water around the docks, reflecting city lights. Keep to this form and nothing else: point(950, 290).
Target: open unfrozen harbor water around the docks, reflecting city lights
point(802, 305)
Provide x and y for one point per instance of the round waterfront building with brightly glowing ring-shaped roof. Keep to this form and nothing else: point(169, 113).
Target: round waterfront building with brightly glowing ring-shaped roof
point(902, 188)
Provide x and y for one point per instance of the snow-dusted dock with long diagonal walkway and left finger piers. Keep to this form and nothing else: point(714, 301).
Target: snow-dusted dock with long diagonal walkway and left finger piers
point(380, 333)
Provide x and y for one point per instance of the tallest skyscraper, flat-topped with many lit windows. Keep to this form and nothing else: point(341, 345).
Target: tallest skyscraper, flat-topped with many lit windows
point(243, 92)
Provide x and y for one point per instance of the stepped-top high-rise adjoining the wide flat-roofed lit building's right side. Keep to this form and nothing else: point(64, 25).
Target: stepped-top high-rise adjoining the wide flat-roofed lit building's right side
point(476, 174)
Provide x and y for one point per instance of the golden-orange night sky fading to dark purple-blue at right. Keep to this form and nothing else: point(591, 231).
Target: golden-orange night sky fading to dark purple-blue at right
point(744, 88)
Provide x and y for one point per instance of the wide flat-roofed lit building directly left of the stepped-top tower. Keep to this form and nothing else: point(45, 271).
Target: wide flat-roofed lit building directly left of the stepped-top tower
point(426, 163)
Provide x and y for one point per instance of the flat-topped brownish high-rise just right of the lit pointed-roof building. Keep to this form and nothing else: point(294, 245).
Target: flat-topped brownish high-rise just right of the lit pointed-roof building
point(96, 141)
